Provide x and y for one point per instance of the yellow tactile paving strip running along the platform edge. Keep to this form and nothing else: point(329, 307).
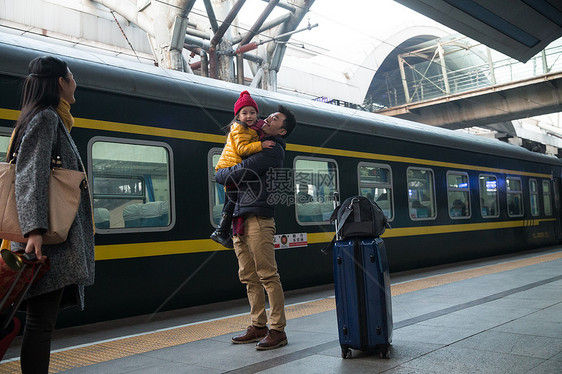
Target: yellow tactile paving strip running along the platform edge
point(110, 350)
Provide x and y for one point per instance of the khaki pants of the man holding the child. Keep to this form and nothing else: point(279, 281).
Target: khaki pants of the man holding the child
point(257, 269)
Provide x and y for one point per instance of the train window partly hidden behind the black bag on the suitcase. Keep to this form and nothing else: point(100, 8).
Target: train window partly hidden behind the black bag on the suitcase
point(375, 183)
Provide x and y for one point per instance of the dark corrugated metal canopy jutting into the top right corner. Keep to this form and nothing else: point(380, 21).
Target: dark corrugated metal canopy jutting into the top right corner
point(517, 28)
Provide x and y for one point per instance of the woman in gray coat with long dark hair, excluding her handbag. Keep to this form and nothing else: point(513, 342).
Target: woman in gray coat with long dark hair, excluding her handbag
point(44, 122)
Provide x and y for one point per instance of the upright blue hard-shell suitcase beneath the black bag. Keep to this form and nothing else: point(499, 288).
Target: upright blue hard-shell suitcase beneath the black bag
point(363, 303)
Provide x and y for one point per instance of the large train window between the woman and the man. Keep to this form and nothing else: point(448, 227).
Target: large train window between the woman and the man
point(131, 184)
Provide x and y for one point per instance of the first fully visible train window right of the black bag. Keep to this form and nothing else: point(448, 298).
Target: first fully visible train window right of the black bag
point(421, 194)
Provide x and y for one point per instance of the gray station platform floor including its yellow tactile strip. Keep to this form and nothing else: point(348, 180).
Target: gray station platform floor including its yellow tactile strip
point(497, 315)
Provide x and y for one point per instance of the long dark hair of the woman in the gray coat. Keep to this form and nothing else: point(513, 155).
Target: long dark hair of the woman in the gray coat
point(40, 91)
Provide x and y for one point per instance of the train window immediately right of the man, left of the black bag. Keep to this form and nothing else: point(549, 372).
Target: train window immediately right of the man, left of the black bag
point(316, 181)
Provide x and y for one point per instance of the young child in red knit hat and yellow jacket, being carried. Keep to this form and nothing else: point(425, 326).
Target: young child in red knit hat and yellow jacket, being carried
point(243, 140)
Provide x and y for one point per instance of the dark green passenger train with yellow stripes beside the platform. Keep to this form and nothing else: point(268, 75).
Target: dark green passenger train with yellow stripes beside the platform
point(150, 139)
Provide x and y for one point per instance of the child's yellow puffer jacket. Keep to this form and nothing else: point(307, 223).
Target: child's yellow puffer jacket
point(241, 142)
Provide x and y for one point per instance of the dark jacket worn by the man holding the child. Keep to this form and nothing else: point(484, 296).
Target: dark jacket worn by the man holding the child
point(253, 178)
